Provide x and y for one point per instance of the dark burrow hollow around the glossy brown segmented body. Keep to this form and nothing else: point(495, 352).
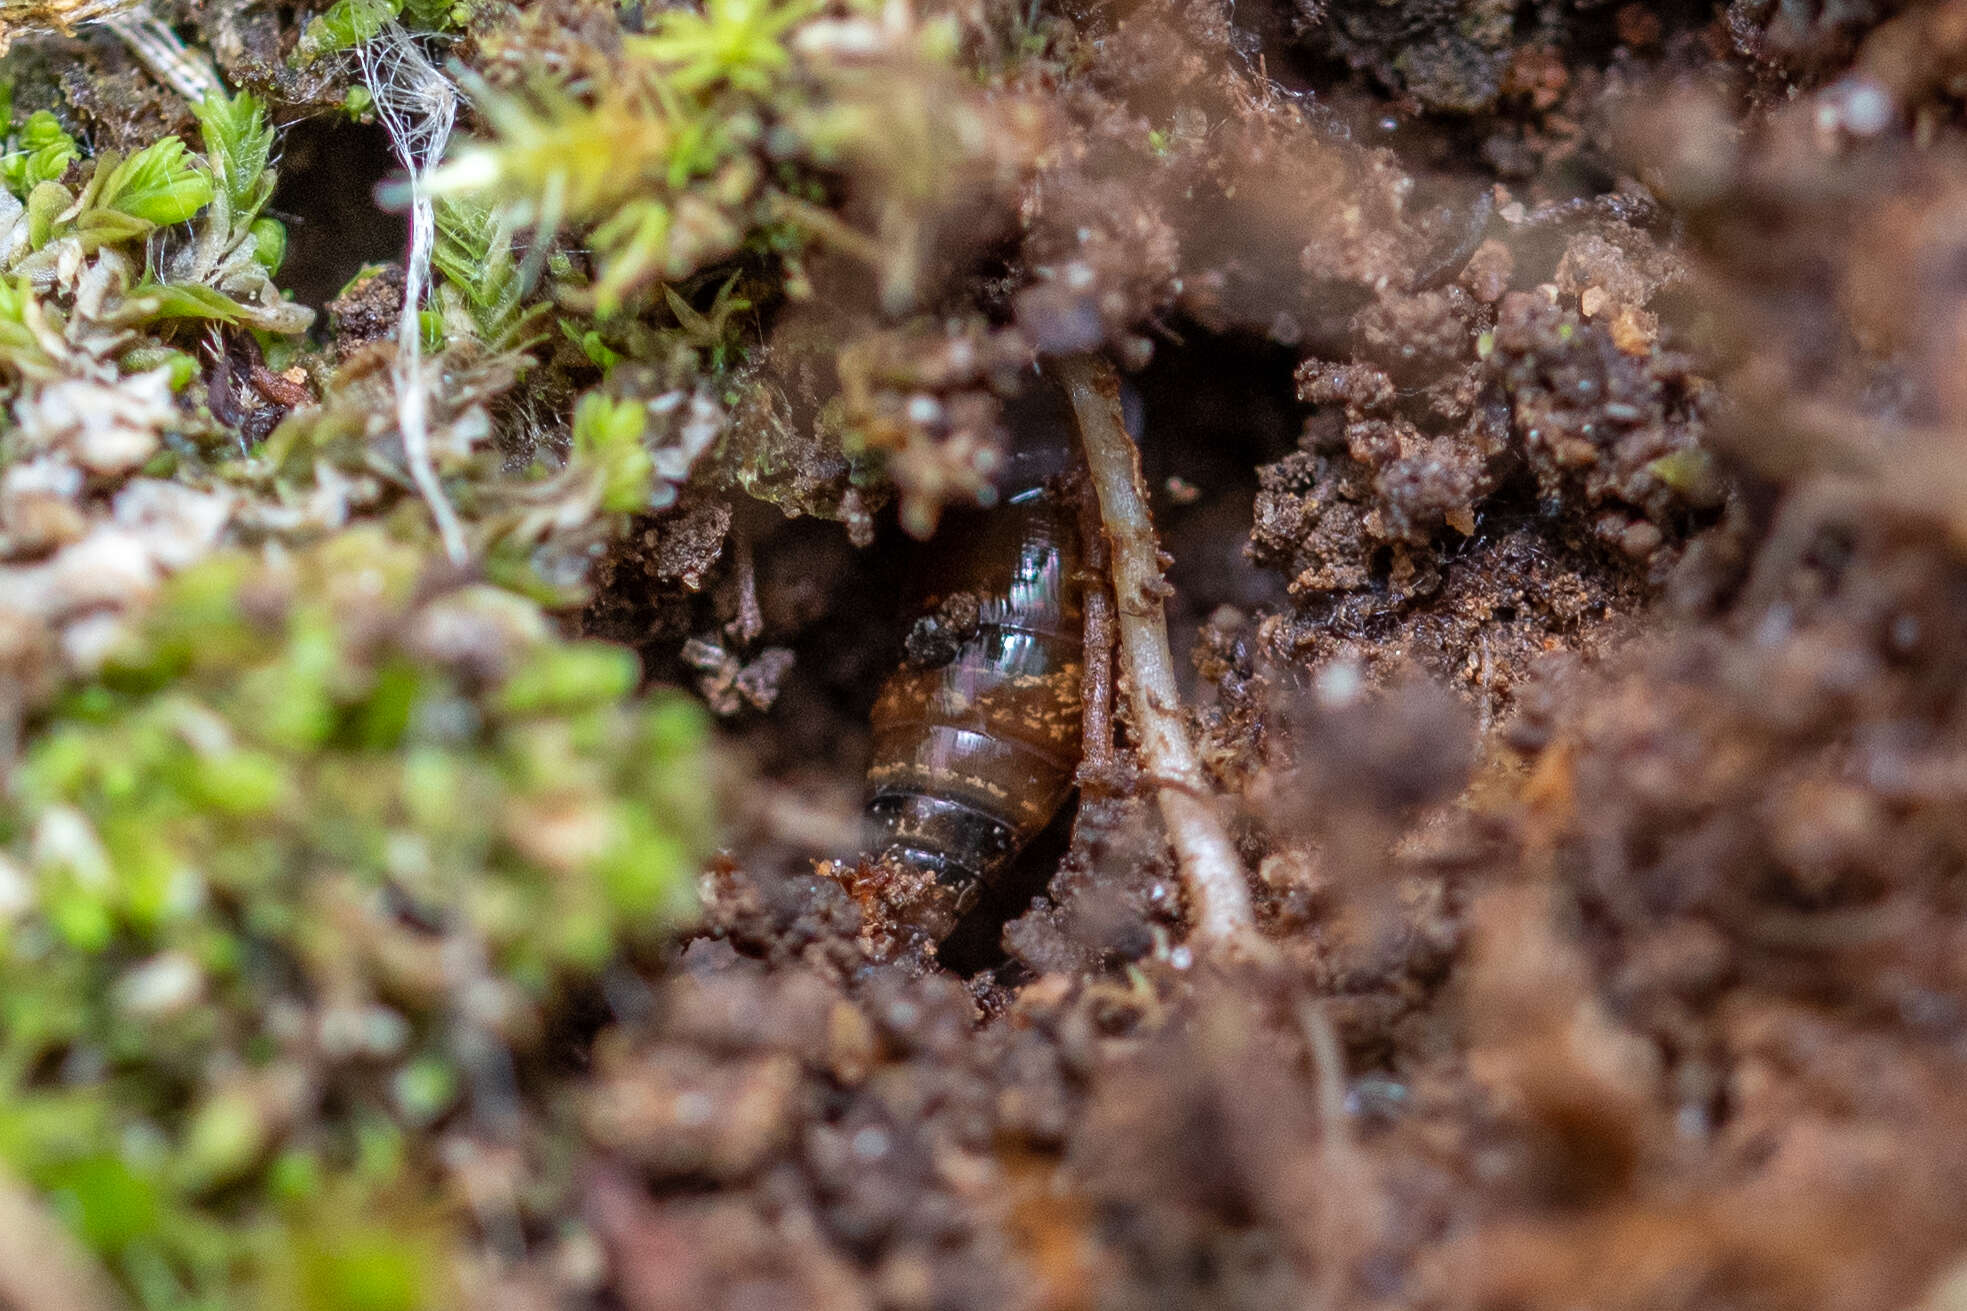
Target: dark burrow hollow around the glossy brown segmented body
point(1211, 408)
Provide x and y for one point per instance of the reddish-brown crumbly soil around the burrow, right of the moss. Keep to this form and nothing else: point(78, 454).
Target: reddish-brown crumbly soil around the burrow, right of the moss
point(1551, 412)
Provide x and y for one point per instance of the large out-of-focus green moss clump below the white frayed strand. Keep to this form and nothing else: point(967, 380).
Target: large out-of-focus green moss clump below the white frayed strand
point(316, 814)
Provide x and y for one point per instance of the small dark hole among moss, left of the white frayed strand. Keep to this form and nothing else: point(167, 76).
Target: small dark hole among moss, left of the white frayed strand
point(329, 170)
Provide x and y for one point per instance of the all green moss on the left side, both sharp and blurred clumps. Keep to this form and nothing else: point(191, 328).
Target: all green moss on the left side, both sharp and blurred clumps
point(335, 832)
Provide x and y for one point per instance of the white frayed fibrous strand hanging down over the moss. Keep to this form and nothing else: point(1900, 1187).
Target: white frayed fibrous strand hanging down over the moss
point(418, 107)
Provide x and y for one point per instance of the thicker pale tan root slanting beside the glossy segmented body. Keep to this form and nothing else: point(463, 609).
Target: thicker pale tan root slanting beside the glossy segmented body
point(1213, 873)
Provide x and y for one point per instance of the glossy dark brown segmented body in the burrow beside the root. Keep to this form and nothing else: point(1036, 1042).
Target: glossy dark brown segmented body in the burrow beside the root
point(975, 755)
